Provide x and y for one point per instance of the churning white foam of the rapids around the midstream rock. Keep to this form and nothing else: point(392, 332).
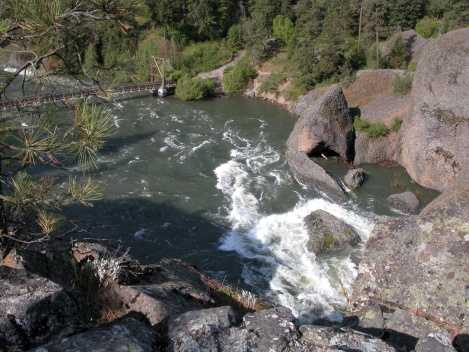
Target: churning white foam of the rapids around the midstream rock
point(297, 278)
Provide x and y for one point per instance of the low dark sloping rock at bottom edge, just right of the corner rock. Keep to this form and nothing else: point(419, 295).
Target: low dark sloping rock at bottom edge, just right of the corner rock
point(129, 335)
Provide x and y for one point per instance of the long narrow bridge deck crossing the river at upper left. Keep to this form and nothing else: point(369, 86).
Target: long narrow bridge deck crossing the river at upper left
point(82, 93)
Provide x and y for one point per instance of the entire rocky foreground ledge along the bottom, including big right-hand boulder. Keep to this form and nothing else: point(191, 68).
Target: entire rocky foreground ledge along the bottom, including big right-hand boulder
point(411, 293)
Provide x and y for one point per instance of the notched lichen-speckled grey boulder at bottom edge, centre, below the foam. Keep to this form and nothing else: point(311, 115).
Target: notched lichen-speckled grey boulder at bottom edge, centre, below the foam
point(216, 330)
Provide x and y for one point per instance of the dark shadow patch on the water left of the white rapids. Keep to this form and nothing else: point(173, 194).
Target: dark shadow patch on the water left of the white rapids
point(154, 230)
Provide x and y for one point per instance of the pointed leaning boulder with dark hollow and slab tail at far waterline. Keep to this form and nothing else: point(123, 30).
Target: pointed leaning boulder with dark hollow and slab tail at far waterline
point(324, 123)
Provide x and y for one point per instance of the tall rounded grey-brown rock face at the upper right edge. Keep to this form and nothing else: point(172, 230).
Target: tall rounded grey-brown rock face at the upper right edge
point(434, 137)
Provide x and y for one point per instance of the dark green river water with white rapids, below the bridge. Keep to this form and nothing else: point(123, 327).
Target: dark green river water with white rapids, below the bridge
point(208, 182)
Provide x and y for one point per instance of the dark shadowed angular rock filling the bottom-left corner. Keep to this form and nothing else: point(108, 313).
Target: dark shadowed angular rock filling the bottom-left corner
point(35, 310)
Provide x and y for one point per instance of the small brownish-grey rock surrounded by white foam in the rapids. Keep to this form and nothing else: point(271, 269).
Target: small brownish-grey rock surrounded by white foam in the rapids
point(328, 232)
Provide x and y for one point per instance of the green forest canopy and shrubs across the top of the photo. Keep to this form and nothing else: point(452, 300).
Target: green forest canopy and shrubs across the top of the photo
point(113, 40)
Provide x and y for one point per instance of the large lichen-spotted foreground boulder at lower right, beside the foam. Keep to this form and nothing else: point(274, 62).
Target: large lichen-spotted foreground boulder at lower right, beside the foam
point(412, 279)
